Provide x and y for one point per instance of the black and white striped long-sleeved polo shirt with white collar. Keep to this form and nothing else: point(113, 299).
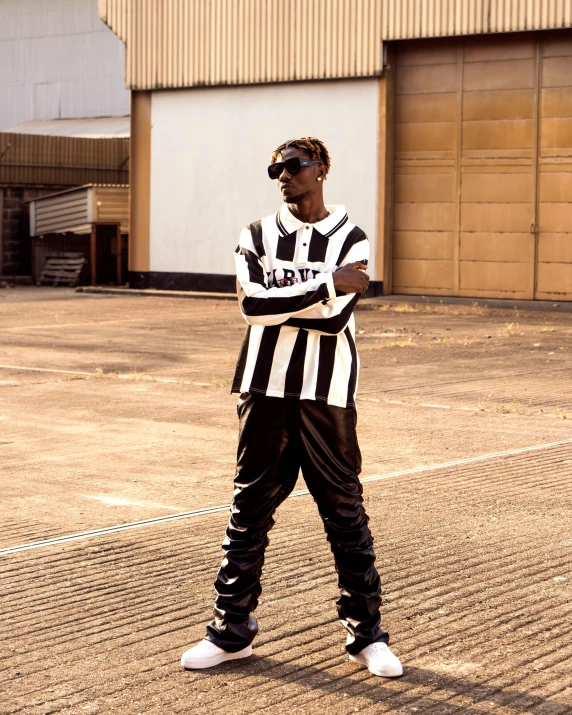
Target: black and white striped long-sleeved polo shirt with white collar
point(300, 340)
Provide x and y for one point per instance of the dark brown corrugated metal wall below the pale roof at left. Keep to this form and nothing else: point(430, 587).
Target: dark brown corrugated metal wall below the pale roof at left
point(33, 160)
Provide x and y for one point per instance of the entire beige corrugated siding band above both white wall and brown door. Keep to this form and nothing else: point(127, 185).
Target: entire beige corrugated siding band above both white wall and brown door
point(188, 43)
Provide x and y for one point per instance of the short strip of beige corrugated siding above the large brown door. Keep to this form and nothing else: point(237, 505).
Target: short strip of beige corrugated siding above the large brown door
point(406, 19)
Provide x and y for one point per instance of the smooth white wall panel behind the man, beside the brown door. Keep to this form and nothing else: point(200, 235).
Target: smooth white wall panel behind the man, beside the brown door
point(210, 150)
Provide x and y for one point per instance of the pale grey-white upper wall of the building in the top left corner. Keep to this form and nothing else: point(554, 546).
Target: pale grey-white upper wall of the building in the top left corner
point(58, 61)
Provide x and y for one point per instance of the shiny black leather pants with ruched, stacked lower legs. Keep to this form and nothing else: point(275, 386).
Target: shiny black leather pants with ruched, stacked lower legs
point(278, 436)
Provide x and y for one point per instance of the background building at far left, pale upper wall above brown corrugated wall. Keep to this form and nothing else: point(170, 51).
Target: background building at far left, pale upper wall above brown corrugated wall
point(61, 80)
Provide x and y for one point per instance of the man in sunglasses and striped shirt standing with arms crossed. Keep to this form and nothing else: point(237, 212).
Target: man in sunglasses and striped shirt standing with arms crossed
point(300, 273)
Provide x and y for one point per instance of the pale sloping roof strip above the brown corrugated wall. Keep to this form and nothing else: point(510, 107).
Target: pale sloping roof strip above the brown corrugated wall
point(100, 128)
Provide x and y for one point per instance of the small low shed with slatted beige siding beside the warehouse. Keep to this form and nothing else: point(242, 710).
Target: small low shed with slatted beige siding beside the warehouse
point(92, 219)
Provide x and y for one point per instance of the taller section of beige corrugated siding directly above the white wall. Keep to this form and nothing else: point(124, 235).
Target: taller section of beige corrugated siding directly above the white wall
point(179, 43)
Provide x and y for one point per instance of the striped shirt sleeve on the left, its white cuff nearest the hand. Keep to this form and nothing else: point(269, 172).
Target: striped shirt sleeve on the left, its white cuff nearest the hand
point(272, 306)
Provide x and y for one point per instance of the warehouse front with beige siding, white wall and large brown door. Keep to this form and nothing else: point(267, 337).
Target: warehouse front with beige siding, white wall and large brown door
point(449, 125)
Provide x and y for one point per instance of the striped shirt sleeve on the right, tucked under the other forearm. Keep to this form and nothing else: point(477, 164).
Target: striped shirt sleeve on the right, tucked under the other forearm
point(333, 317)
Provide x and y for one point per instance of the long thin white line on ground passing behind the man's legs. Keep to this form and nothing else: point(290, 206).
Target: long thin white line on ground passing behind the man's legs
point(302, 492)
